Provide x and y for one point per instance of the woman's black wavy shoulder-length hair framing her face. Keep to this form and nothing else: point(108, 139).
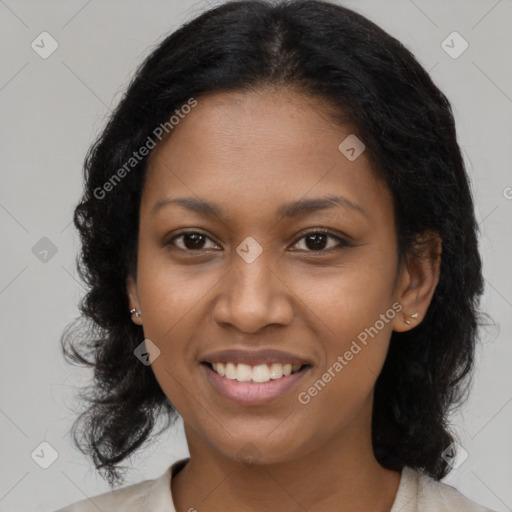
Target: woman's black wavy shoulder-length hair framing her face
point(369, 79)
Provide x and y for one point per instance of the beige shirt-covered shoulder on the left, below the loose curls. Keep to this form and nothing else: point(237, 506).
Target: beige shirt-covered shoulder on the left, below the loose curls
point(146, 495)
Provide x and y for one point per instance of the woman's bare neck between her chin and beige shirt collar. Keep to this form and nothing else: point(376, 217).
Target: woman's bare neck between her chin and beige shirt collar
point(342, 475)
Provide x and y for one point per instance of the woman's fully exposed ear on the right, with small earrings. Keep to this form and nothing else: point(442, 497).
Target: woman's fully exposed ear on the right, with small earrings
point(417, 281)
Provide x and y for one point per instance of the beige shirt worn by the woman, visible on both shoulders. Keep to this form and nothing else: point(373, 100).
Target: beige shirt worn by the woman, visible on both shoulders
point(417, 492)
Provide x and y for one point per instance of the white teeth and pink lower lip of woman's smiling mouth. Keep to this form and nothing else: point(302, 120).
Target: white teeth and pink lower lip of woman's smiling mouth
point(253, 384)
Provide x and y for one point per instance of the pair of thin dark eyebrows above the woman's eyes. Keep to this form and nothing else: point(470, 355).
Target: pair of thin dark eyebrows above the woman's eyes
point(292, 209)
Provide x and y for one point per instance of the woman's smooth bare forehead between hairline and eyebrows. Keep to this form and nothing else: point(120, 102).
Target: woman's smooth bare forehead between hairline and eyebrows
point(260, 149)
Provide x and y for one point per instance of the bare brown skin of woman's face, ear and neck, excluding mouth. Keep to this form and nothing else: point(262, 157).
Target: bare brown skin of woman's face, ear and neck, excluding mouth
point(250, 152)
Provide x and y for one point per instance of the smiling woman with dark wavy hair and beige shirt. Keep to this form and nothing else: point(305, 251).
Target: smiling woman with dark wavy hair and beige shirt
point(280, 244)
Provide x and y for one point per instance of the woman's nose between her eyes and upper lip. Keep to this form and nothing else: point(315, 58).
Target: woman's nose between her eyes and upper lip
point(253, 295)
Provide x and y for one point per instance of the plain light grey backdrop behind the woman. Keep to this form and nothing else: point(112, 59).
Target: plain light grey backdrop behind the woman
point(52, 109)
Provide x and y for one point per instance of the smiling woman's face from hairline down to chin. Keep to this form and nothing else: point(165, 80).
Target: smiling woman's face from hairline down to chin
point(248, 278)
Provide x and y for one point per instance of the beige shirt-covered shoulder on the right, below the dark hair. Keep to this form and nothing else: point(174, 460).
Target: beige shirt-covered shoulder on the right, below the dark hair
point(436, 496)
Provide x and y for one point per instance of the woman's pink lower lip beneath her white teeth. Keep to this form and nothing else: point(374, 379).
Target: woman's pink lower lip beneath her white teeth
point(253, 393)
